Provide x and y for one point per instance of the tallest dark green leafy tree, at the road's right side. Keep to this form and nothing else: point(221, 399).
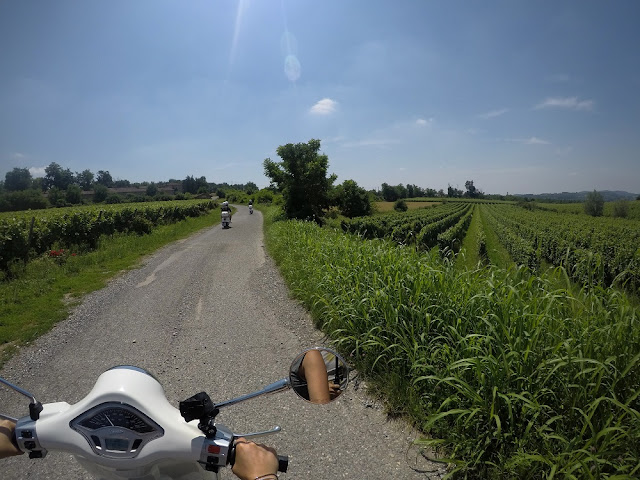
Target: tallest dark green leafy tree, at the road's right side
point(302, 178)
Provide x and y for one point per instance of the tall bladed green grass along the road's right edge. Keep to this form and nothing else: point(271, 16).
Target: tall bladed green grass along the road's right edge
point(509, 375)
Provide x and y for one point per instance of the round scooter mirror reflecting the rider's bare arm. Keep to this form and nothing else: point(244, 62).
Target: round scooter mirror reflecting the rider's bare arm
point(319, 375)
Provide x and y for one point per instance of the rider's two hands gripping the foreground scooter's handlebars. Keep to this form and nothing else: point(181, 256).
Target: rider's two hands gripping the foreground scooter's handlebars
point(253, 461)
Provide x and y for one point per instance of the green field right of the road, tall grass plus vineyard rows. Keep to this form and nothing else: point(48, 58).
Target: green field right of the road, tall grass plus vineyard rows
point(512, 368)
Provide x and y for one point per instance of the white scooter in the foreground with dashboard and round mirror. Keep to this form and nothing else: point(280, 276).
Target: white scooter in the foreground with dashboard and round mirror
point(125, 428)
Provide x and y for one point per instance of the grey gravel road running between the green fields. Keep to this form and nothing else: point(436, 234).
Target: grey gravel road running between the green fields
point(211, 313)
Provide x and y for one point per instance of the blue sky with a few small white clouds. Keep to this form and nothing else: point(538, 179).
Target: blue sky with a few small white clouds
point(520, 97)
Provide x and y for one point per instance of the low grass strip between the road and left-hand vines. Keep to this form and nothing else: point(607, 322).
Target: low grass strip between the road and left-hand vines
point(48, 287)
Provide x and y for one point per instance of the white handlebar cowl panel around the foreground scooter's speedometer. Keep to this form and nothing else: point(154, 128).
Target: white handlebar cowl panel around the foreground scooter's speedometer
point(124, 387)
